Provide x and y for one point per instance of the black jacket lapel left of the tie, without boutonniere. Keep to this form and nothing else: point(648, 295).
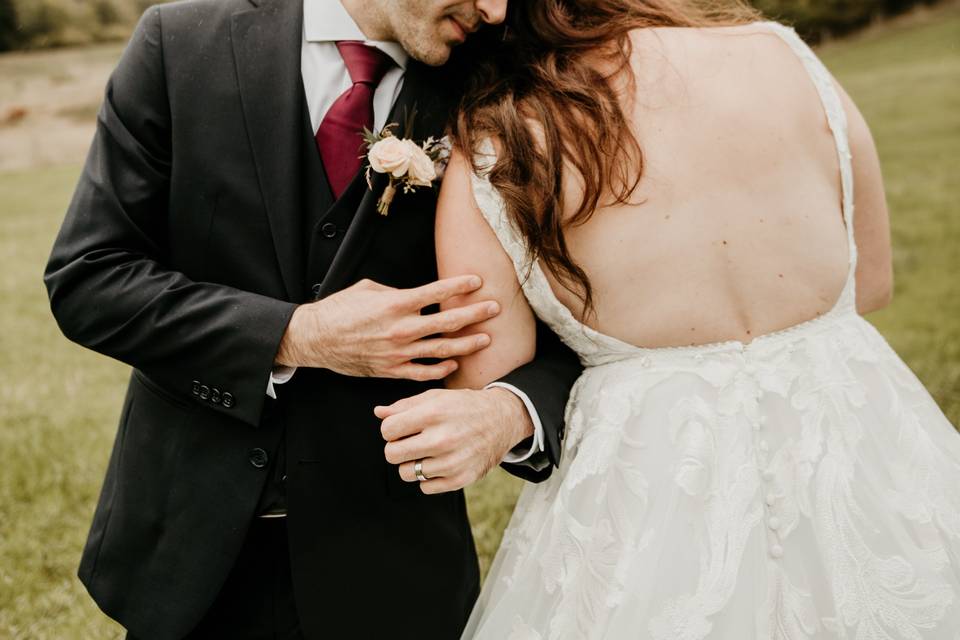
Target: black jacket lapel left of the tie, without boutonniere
point(267, 44)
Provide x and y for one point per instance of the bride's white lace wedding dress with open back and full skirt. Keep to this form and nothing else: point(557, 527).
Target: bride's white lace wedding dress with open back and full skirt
point(802, 486)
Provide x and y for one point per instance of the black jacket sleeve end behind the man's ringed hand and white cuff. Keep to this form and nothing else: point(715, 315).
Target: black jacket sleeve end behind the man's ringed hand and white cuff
point(547, 381)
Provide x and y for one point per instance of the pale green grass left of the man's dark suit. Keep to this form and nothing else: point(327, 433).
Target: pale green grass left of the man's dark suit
point(58, 410)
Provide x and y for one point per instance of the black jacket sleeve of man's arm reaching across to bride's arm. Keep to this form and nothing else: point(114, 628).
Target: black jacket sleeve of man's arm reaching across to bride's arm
point(110, 286)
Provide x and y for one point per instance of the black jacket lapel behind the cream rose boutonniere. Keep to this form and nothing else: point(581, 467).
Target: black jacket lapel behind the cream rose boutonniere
point(367, 220)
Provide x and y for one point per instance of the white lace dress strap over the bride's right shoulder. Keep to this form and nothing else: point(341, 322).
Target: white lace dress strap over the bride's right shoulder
point(837, 120)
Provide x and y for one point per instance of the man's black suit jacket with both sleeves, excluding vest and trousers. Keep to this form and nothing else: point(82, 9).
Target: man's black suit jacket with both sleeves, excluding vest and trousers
point(182, 255)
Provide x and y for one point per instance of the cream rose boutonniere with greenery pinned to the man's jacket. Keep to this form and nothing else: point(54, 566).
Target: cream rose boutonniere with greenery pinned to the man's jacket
point(409, 165)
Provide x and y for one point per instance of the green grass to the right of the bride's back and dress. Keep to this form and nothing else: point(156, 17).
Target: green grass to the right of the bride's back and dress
point(906, 81)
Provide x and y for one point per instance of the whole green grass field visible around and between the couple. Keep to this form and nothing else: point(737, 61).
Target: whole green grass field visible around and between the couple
point(59, 403)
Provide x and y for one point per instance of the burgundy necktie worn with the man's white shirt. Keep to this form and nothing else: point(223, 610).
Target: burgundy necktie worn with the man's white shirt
point(339, 137)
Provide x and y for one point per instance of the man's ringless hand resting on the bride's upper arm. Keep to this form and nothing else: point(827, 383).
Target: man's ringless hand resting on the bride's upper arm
point(371, 330)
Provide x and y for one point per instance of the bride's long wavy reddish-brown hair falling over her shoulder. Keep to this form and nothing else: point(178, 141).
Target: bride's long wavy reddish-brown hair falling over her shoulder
point(541, 94)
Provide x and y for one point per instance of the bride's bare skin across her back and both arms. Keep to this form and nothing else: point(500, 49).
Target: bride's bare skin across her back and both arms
point(737, 228)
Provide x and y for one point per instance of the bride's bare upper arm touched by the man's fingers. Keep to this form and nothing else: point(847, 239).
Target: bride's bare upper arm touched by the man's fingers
point(467, 244)
